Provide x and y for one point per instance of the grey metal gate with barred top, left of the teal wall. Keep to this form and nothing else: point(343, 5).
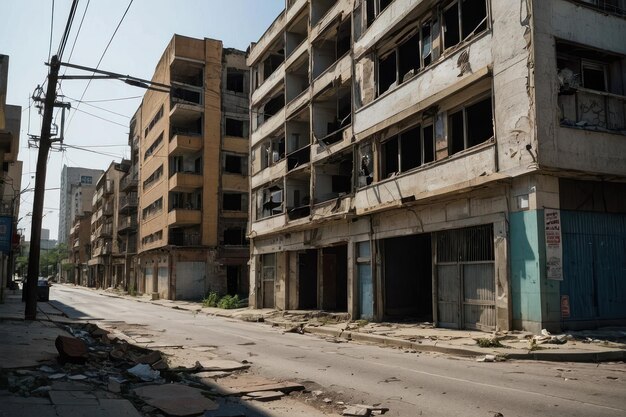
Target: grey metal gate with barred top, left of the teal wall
point(465, 278)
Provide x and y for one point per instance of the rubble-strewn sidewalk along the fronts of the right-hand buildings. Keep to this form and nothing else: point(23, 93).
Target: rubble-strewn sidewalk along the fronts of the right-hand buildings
point(608, 344)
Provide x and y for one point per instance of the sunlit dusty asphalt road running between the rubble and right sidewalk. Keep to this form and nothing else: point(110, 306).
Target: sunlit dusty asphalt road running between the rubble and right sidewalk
point(409, 384)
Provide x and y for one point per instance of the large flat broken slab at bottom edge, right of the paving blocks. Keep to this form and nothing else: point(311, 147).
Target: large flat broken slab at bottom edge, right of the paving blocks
point(176, 399)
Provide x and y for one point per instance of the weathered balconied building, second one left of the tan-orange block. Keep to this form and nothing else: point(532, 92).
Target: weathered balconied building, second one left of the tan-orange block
point(105, 247)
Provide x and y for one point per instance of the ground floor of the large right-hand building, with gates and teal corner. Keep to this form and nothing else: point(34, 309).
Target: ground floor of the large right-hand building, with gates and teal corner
point(487, 259)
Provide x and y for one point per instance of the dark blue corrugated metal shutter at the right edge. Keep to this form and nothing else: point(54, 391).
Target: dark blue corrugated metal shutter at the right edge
point(594, 266)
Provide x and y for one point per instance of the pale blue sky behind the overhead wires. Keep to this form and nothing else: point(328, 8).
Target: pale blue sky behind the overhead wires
point(30, 32)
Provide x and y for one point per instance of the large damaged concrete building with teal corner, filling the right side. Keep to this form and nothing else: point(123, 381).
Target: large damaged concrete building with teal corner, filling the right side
point(459, 161)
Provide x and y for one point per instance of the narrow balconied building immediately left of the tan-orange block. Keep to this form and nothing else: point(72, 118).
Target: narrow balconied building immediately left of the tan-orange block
point(128, 204)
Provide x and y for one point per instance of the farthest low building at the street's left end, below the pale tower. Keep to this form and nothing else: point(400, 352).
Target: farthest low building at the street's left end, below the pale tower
point(80, 249)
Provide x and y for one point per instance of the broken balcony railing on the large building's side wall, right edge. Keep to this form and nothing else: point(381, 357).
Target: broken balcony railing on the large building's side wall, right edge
point(593, 110)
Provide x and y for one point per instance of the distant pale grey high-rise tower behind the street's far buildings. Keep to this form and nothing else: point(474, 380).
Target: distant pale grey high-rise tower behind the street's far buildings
point(74, 179)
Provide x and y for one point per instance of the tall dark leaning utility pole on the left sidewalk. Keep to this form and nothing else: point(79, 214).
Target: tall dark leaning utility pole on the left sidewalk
point(40, 187)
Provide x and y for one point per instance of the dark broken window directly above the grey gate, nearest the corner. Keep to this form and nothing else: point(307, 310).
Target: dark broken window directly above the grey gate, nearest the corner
point(470, 126)
